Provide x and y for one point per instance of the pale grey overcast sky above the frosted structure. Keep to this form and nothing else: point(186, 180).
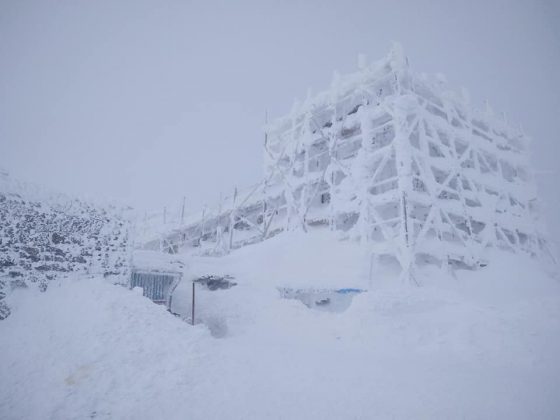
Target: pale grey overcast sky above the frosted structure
point(147, 101)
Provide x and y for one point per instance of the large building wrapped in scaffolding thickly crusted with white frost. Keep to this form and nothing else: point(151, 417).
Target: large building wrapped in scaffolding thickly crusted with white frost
point(391, 159)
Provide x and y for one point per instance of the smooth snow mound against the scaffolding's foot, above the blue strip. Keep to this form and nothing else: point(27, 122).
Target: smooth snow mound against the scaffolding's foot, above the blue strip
point(295, 259)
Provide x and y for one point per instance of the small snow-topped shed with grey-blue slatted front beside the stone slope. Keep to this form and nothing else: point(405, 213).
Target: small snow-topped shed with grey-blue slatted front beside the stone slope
point(158, 275)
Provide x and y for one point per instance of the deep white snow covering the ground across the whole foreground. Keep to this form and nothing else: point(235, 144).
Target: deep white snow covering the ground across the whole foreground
point(479, 345)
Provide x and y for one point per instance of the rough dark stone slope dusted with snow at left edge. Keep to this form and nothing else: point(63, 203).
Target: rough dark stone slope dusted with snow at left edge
point(44, 236)
